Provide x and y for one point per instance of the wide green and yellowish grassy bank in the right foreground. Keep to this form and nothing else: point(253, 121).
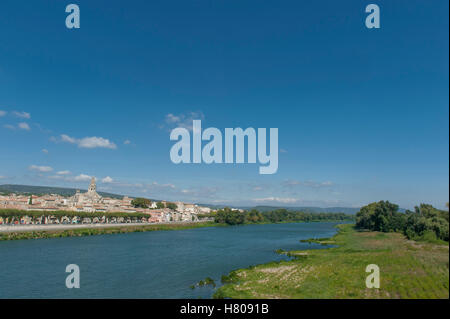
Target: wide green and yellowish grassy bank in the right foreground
point(408, 269)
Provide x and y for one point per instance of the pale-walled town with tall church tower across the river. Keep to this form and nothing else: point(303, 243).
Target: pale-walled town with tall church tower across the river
point(91, 208)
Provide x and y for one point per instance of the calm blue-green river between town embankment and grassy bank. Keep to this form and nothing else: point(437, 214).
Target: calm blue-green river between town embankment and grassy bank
point(157, 264)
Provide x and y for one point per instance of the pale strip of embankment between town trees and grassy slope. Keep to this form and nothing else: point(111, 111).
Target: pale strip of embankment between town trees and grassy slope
point(25, 228)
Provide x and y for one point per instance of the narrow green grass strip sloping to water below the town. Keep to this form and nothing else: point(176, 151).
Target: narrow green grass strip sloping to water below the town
point(100, 231)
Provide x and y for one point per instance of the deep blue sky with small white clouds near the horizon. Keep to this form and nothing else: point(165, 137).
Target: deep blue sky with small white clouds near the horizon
point(362, 113)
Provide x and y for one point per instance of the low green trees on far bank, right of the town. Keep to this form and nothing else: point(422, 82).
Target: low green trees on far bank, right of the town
point(233, 217)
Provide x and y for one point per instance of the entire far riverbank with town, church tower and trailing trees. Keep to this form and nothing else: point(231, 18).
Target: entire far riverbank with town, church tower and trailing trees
point(55, 213)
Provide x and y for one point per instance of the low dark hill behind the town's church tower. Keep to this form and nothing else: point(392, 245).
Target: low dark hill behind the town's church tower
point(41, 190)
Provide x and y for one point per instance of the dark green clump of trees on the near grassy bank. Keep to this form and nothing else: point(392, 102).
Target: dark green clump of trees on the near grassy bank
point(425, 222)
